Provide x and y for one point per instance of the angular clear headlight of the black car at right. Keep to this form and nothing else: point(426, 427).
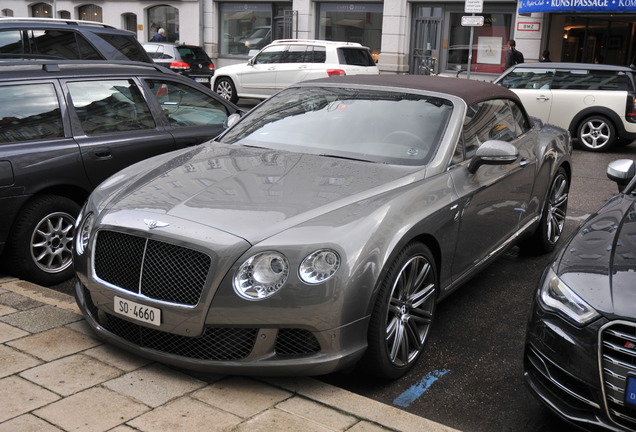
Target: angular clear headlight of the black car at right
point(557, 296)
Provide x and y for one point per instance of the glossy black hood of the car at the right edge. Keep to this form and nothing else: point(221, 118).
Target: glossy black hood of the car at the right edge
point(599, 263)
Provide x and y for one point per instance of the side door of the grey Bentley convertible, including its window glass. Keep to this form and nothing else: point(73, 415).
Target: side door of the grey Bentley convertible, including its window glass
point(494, 200)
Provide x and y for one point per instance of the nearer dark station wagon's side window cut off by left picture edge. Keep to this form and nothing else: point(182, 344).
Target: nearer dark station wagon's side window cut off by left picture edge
point(29, 112)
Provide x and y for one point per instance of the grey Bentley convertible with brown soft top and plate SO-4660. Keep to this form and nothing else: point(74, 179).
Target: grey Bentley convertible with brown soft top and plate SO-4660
point(322, 228)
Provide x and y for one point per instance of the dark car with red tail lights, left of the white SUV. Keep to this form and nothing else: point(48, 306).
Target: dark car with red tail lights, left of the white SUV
point(188, 60)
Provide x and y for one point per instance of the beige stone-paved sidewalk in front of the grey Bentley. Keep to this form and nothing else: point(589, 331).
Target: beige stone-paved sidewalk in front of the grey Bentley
point(56, 376)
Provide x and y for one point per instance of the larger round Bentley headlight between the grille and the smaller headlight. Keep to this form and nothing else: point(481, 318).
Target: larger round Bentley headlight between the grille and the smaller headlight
point(261, 276)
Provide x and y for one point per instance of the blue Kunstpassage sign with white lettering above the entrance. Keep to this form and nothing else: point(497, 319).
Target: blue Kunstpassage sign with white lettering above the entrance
point(602, 6)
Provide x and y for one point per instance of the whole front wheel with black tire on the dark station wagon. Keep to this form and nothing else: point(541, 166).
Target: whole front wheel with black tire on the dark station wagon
point(41, 240)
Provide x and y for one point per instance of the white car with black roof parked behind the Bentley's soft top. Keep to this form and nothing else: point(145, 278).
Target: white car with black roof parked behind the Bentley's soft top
point(595, 102)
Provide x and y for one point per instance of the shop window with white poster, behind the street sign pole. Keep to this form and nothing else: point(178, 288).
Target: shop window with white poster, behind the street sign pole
point(489, 43)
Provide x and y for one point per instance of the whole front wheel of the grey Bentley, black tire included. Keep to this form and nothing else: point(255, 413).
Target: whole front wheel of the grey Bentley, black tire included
point(403, 313)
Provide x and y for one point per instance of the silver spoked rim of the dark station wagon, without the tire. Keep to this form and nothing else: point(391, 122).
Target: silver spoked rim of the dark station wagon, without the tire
point(51, 243)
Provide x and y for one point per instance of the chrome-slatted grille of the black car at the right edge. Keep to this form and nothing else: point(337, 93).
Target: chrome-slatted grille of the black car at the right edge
point(618, 360)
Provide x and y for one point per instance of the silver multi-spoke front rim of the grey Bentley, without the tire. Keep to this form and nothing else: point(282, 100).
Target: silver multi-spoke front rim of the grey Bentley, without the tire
point(410, 311)
